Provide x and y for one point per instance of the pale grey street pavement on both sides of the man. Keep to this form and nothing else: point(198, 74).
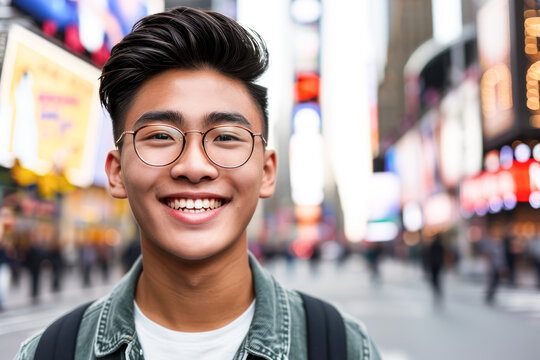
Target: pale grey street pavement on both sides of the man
point(398, 310)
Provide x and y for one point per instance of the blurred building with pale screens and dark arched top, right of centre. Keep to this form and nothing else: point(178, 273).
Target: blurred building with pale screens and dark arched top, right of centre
point(441, 142)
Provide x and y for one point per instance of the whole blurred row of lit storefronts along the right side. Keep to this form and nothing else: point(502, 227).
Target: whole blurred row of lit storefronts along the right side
point(468, 160)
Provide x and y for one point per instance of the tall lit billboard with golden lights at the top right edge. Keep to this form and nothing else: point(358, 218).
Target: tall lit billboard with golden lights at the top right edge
point(509, 54)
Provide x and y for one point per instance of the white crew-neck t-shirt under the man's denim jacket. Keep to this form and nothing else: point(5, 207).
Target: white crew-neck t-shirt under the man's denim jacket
point(160, 343)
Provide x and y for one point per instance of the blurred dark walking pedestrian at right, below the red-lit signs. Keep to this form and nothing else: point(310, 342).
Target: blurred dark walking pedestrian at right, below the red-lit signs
point(493, 250)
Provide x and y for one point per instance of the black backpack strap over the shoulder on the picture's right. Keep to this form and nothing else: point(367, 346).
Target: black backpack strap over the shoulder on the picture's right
point(325, 330)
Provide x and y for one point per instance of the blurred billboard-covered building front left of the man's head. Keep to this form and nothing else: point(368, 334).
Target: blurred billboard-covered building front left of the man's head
point(54, 136)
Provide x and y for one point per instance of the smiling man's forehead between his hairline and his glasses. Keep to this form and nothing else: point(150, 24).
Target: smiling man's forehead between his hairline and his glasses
point(194, 94)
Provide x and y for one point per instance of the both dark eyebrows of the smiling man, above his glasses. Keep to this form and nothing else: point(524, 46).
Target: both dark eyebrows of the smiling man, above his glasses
point(177, 118)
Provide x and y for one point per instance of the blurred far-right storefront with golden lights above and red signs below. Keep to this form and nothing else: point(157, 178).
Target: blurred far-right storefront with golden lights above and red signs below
point(505, 193)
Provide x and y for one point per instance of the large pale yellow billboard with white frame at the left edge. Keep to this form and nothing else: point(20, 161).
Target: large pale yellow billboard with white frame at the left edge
point(49, 109)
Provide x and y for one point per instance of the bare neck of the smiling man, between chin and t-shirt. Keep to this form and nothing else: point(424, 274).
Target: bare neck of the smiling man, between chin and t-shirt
point(194, 296)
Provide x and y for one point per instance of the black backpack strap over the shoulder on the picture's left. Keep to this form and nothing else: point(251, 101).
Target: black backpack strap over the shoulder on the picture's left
point(59, 339)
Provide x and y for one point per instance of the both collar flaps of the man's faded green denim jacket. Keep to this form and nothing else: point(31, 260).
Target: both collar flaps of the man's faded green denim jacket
point(268, 335)
